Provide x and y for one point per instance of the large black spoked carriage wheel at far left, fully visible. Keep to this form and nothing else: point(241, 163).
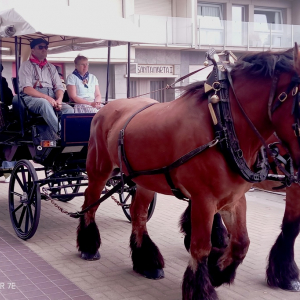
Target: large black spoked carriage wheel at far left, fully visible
point(24, 200)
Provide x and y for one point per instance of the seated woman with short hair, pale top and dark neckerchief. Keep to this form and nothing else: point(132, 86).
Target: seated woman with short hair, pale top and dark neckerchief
point(83, 87)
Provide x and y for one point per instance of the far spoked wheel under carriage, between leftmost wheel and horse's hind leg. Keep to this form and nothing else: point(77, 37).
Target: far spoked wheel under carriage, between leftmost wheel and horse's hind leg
point(57, 188)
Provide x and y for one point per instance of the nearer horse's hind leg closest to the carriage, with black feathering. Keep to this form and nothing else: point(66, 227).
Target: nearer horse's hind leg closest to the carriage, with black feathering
point(88, 236)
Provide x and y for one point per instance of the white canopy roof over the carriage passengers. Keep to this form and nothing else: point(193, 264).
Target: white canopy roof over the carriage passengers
point(69, 26)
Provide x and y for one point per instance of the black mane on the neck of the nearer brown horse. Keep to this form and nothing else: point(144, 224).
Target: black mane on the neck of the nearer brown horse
point(254, 64)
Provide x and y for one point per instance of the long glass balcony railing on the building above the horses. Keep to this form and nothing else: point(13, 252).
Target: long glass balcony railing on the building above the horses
point(173, 31)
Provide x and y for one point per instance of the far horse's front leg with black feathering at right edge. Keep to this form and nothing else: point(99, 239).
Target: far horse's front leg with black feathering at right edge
point(282, 270)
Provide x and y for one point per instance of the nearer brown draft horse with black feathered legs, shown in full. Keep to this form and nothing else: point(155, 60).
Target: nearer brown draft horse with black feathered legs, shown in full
point(162, 133)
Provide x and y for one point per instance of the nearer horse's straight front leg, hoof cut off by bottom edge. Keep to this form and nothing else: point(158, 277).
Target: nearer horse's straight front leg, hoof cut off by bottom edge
point(196, 281)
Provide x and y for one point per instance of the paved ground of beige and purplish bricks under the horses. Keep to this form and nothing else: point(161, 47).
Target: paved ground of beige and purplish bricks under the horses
point(53, 250)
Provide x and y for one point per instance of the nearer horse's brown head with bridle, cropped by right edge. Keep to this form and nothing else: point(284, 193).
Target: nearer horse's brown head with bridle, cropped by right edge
point(285, 108)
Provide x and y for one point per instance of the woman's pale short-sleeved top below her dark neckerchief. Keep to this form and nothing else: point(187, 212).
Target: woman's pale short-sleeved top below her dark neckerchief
point(81, 91)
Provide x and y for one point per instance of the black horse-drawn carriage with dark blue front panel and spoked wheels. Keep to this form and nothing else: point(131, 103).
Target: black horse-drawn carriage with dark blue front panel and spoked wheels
point(46, 169)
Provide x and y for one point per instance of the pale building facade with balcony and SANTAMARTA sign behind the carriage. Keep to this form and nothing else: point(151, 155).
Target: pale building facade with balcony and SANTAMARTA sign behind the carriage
point(184, 30)
